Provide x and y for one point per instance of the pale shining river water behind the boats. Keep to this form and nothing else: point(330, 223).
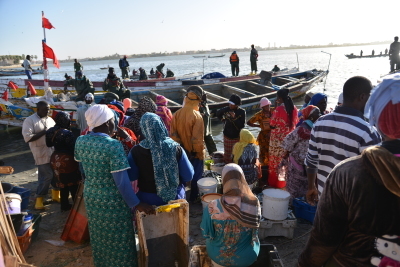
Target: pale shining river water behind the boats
point(340, 69)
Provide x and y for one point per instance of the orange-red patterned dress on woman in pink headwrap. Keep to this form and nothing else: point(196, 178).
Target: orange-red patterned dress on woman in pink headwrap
point(264, 135)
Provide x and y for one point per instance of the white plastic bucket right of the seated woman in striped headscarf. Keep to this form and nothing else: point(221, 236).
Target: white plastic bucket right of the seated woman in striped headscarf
point(275, 204)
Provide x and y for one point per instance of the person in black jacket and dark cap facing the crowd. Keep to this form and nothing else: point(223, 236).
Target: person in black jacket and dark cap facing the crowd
point(234, 119)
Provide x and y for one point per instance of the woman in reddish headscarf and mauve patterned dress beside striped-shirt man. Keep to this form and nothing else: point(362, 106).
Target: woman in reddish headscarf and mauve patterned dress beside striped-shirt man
point(295, 145)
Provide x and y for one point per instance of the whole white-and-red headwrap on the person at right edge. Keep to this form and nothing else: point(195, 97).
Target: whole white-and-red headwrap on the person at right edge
point(383, 106)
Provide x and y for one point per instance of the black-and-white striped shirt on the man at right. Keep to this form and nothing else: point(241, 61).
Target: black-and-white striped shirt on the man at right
point(336, 137)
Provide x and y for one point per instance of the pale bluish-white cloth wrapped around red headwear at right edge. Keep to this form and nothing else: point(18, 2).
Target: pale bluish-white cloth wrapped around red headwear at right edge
point(387, 90)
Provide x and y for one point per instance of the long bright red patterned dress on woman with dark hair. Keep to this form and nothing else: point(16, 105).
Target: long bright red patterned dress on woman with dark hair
point(280, 122)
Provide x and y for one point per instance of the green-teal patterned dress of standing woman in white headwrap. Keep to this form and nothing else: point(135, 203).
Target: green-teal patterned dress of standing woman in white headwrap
point(110, 221)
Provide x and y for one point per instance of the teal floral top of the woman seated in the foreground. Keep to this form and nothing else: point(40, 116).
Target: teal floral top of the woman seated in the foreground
point(228, 243)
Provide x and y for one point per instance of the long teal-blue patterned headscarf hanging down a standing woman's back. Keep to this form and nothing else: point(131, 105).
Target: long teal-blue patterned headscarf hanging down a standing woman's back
point(163, 152)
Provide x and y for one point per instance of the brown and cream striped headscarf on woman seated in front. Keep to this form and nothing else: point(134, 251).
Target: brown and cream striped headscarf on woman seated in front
point(237, 199)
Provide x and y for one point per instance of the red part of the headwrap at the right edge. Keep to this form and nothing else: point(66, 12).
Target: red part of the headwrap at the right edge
point(389, 121)
